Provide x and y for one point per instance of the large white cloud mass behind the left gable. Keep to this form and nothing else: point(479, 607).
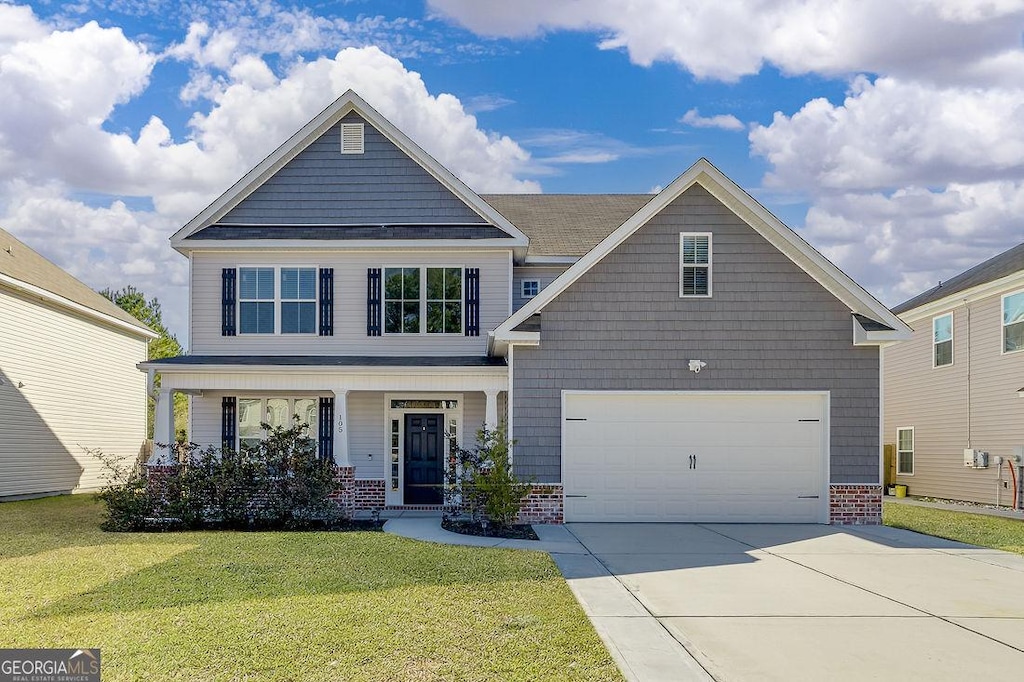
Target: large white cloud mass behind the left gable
point(60, 89)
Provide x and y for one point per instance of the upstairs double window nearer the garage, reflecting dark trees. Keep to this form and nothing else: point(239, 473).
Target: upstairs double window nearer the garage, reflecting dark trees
point(423, 300)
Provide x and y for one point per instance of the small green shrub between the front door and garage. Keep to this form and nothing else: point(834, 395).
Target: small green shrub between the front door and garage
point(482, 481)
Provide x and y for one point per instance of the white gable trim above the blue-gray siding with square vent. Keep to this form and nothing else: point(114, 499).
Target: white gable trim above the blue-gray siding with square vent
point(347, 104)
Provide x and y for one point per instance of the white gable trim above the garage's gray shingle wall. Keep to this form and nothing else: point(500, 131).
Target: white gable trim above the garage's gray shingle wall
point(758, 218)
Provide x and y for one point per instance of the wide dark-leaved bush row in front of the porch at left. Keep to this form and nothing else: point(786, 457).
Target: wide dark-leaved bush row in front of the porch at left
point(280, 484)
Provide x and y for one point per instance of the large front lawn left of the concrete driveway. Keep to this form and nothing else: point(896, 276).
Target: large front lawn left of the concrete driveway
point(285, 606)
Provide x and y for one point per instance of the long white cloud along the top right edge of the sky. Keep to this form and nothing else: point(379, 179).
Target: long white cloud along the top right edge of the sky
point(730, 39)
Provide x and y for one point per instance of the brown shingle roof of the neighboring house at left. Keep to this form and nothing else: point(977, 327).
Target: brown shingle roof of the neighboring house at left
point(22, 264)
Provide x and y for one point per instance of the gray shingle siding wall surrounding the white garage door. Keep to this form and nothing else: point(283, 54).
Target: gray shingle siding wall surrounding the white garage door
point(770, 326)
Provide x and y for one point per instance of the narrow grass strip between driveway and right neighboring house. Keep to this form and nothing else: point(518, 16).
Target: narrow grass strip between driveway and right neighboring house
point(995, 532)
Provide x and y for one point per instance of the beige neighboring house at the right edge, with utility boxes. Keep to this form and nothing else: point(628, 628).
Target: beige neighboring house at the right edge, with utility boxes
point(959, 386)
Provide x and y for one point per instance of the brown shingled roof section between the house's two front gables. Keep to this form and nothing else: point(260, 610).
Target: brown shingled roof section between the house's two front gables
point(567, 225)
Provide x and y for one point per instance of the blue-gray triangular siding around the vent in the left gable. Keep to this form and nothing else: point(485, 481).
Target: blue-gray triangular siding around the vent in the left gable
point(323, 186)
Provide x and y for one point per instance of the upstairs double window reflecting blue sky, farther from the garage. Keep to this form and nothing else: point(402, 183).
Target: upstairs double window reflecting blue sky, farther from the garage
point(278, 301)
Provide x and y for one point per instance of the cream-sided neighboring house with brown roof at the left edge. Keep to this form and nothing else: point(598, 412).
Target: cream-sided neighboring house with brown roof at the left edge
point(68, 378)
